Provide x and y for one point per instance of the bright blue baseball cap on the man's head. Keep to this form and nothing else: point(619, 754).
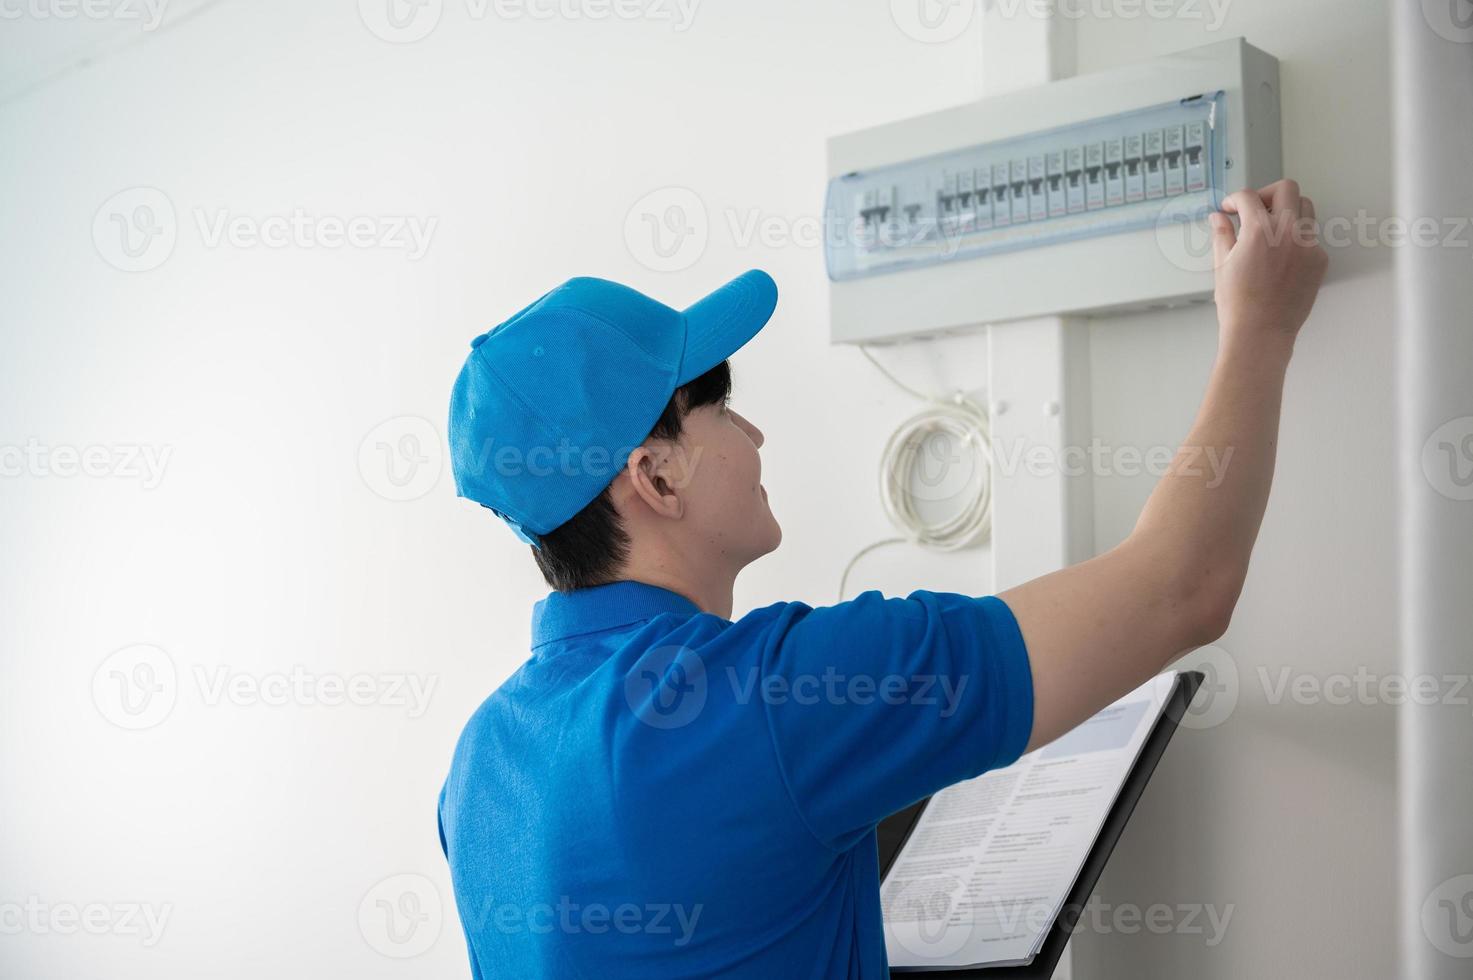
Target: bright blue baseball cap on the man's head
point(552, 403)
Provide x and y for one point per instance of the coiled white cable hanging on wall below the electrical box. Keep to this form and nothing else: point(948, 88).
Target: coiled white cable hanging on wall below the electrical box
point(966, 425)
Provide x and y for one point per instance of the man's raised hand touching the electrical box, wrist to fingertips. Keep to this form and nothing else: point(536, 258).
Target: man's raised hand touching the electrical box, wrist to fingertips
point(1269, 272)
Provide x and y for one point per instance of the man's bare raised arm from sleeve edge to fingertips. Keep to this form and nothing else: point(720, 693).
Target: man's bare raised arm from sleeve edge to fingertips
point(1103, 629)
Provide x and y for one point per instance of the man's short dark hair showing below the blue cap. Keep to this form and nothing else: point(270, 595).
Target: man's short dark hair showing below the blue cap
point(593, 546)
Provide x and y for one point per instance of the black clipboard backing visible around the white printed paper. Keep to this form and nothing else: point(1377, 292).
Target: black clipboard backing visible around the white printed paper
point(895, 830)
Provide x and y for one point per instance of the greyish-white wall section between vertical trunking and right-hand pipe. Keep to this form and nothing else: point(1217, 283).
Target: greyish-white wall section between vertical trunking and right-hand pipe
point(1284, 811)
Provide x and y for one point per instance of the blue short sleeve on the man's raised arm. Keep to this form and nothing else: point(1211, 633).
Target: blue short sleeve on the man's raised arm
point(879, 702)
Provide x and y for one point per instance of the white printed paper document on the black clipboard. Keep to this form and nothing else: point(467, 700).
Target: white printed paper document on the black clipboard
point(991, 861)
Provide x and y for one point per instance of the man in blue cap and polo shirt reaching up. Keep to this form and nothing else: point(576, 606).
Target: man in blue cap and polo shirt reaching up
point(664, 791)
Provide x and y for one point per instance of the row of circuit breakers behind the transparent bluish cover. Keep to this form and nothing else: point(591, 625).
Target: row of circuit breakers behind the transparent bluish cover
point(1098, 178)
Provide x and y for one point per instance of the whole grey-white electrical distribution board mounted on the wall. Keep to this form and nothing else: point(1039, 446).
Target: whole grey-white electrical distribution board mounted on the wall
point(1080, 197)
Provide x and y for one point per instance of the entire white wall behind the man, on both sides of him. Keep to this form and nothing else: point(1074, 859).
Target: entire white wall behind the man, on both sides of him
point(263, 829)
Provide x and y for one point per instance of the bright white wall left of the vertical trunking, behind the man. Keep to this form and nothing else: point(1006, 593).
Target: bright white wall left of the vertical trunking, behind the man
point(264, 827)
